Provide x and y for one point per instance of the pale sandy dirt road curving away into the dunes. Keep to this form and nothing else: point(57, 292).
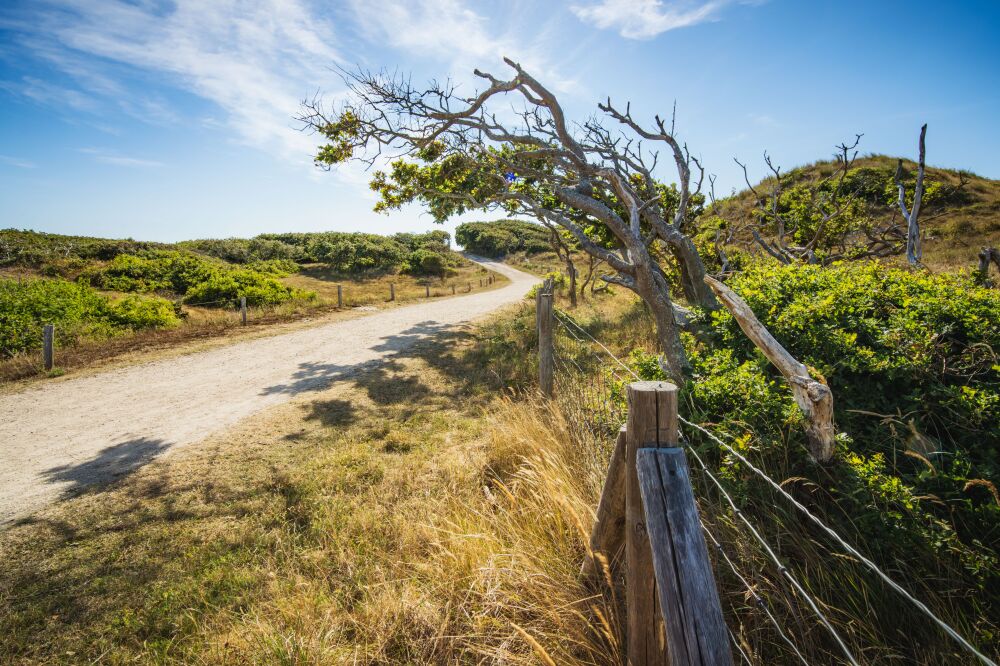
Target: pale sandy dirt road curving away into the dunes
point(59, 437)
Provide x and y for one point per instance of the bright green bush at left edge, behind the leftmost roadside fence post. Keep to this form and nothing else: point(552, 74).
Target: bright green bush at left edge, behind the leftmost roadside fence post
point(77, 311)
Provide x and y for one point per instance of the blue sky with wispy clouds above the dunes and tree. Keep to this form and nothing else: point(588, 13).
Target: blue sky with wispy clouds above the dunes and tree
point(169, 120)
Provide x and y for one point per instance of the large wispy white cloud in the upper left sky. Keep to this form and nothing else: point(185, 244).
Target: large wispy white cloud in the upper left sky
point(255, 59)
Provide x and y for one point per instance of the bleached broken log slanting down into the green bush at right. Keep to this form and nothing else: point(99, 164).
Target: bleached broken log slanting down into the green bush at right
point(814, 398)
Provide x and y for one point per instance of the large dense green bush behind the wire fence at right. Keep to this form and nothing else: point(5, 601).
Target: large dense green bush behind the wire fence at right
point(911, 360)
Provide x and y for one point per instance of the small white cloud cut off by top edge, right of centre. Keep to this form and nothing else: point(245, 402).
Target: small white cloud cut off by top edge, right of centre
point(644, 19)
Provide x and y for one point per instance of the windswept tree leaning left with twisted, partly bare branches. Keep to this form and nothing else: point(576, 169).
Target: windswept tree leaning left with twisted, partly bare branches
point(596, 180)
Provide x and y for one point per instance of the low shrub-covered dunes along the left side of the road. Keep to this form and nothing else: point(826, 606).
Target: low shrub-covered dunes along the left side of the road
point(207, 273)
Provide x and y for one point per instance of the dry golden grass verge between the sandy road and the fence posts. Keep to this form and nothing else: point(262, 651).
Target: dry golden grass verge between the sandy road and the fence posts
point(409, 515)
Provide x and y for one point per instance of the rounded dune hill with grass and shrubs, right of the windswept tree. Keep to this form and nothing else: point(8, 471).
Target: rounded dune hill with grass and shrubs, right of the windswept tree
point(960, 212)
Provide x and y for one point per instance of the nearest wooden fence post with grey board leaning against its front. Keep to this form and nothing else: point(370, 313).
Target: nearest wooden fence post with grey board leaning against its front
point(673, 602)
